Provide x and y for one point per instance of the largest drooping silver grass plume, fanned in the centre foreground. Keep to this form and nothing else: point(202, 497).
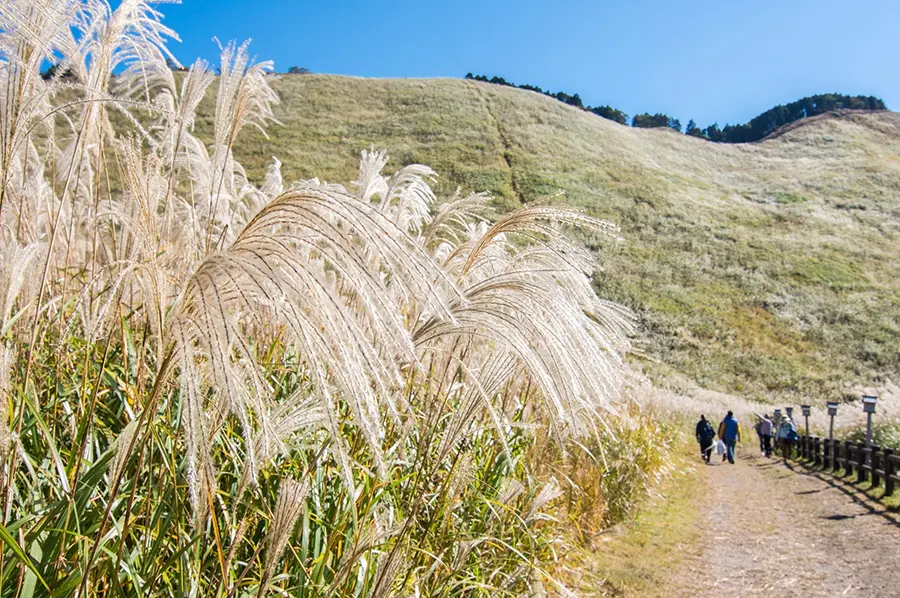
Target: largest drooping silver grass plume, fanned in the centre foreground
point(281, 262)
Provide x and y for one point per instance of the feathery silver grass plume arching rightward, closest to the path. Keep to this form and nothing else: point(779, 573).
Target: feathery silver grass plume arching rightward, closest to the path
point(538, 304)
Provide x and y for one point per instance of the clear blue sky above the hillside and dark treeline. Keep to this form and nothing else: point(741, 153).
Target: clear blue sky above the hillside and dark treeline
point(710, 60)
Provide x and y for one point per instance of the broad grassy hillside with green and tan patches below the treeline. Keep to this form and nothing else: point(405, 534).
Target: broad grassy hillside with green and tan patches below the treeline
point(764, 269)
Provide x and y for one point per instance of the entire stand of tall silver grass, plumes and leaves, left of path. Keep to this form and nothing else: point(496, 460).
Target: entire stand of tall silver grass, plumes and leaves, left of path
point(213, 387)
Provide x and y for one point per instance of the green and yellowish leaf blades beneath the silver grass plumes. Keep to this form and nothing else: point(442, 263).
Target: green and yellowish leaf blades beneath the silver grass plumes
point(471, 514)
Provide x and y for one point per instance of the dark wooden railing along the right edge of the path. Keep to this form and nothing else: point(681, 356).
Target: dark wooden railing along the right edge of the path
point(879, 464)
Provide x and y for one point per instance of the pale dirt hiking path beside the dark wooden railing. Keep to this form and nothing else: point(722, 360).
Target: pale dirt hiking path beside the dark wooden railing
point(780, 530)
